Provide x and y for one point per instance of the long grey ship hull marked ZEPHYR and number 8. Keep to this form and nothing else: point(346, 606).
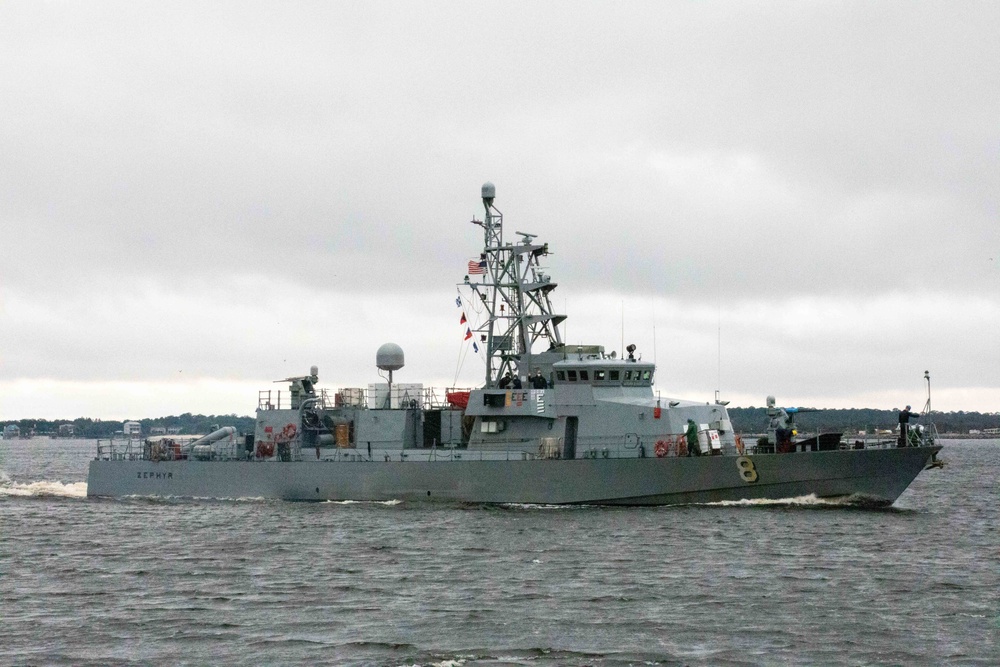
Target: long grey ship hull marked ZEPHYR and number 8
point(877, 476)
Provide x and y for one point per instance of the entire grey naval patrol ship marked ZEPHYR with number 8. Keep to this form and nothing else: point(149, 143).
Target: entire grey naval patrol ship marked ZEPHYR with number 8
point(553, 423)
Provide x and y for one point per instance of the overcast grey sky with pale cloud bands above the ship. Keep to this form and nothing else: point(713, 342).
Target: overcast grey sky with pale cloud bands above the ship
point(791, 198)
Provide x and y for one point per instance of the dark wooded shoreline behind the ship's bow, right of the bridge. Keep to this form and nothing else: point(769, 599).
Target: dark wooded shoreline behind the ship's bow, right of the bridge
point(754, 420)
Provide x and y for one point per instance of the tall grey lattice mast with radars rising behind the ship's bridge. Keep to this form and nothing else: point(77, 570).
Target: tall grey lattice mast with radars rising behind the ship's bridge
point(515, 292)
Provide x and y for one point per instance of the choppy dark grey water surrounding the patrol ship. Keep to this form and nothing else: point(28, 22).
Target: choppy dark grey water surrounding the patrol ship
point(255, 582)
